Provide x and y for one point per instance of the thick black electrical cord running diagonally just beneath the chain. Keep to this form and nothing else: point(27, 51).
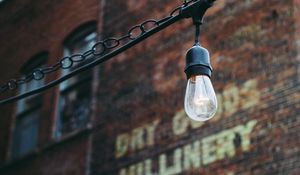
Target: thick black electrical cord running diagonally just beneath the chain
point(183, 12)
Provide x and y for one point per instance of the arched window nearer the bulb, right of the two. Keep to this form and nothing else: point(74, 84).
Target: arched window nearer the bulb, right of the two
point(75, 93)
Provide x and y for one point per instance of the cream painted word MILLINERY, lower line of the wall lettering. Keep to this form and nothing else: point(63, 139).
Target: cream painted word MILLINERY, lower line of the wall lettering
point(197, 154)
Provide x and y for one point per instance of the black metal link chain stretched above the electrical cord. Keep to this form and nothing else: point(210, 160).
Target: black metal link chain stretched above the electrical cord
point(99, 48)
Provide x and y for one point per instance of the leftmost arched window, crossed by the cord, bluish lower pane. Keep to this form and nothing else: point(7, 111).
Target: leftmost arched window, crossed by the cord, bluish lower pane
point(28, 111)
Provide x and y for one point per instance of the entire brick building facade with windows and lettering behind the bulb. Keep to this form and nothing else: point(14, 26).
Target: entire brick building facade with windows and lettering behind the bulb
point(126, 116)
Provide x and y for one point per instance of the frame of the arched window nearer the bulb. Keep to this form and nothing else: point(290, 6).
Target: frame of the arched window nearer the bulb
point(68, 86)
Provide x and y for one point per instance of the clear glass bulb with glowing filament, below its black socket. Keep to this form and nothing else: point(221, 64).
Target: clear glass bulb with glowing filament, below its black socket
point(200, 102)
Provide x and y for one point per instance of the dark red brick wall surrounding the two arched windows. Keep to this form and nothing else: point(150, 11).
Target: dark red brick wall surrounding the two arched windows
point(28, 28)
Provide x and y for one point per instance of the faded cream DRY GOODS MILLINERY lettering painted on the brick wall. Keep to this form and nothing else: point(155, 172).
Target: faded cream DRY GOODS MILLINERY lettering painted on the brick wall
point(196, 153)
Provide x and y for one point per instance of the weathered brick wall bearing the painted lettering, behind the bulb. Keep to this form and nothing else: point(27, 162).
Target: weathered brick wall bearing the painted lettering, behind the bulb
point(142, 126)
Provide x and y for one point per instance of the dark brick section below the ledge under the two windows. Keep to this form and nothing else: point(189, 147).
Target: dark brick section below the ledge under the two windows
point(68, 157)
